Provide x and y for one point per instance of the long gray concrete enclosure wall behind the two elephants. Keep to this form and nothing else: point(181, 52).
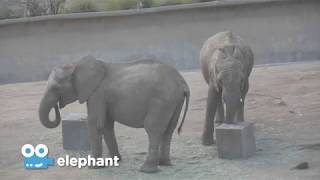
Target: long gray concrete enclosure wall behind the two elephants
point(279, 31)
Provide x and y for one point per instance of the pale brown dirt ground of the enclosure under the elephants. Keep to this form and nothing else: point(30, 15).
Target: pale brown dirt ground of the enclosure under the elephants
point(283, 102)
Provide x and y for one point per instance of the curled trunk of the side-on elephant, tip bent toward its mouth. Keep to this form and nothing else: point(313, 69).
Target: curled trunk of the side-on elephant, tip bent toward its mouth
point(48, 102)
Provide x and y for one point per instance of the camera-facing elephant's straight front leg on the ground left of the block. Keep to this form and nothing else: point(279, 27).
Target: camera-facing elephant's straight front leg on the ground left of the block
point(207, 136)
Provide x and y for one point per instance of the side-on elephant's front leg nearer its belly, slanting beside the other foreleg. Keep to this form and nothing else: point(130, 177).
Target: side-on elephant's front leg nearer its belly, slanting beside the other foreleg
point(110, 140)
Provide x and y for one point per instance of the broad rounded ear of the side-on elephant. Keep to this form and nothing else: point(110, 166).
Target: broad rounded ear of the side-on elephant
point(88, 75)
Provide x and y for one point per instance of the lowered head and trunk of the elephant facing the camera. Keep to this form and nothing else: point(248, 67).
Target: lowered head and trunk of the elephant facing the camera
point(230, 80)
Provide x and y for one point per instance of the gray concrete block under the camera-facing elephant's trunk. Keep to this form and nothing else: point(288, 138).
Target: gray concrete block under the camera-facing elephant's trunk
point(235, 141)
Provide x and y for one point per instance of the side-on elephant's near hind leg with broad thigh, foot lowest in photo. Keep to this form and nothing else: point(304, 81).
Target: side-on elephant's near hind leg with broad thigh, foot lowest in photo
point(155, 124)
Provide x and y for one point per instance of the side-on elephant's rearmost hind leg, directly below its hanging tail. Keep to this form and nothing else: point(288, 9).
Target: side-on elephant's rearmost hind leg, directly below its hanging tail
point(167, 136)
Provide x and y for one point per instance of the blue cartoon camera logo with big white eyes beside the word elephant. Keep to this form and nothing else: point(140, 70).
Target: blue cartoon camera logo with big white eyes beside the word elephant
point(36, 158)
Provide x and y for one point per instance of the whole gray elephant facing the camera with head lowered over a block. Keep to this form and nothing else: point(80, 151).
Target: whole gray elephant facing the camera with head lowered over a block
point(226, 62)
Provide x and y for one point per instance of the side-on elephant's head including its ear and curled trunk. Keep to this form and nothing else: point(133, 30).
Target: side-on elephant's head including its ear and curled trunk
point(69, 83)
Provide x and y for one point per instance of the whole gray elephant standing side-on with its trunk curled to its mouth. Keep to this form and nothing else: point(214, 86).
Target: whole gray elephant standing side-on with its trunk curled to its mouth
point(145, 94)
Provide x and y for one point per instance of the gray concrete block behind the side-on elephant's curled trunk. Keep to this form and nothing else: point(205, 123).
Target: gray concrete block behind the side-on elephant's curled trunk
point(74, 132)
